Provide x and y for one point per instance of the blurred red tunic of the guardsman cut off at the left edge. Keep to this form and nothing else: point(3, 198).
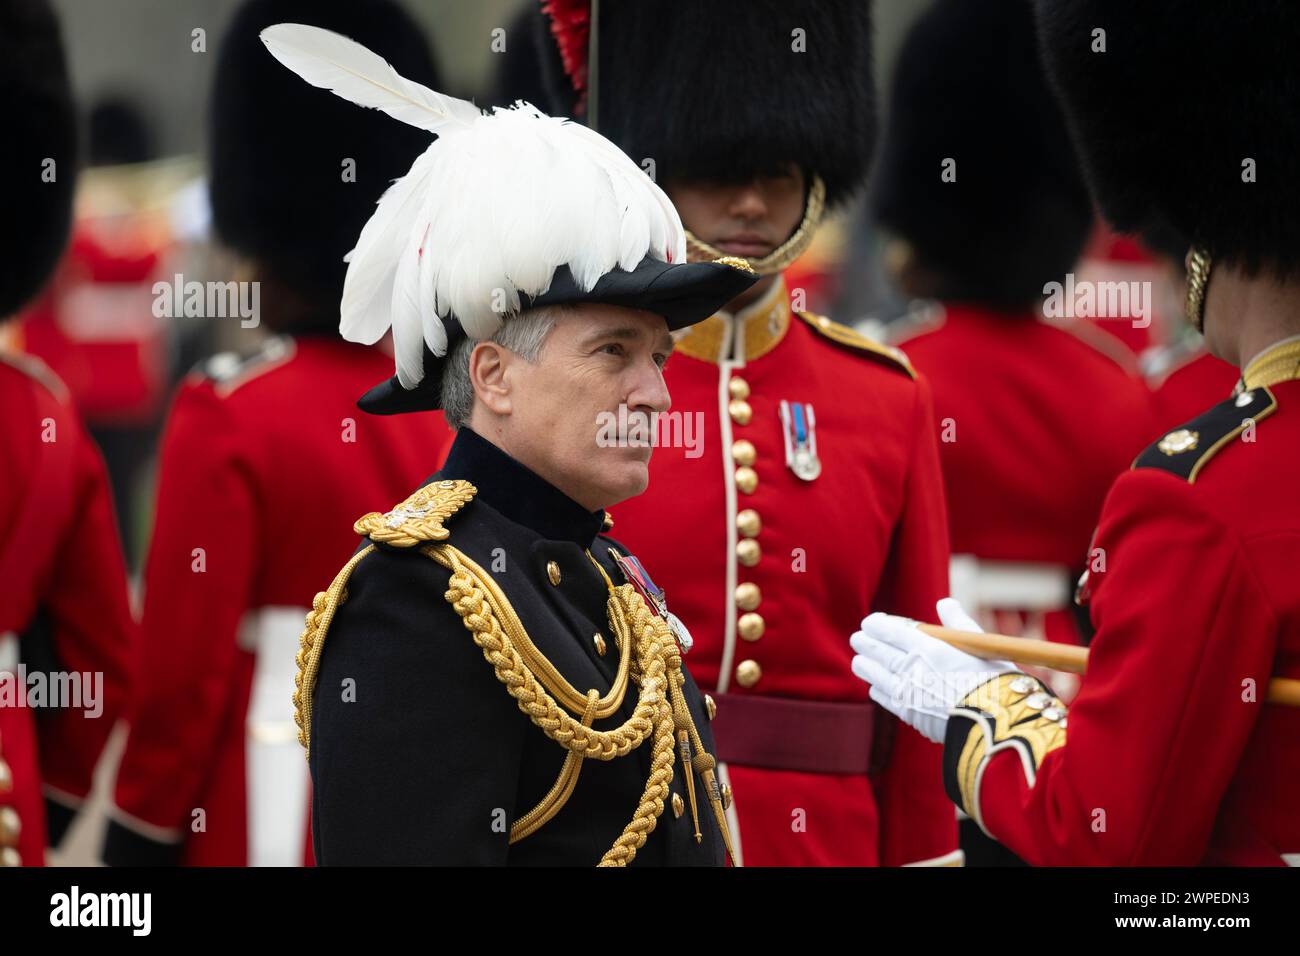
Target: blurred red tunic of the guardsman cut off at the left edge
point(63, 585)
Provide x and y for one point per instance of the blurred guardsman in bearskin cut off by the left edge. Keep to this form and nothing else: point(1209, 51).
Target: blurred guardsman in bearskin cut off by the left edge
point(66, 618)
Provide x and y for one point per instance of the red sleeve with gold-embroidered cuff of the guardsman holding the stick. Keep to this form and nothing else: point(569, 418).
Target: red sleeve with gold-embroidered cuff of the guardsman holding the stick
point(1160, 725)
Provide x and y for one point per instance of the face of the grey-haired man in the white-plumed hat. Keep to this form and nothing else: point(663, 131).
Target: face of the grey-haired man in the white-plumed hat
point(596, 360)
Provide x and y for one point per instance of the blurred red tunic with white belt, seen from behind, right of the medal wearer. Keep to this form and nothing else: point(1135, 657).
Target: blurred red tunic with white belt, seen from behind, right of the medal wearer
point(1037, 421)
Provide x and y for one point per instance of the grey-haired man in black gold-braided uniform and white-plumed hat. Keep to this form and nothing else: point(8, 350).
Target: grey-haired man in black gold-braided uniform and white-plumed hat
point(489, 680)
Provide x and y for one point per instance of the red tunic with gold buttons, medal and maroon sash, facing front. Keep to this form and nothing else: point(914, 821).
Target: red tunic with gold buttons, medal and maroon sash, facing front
point(868, 534)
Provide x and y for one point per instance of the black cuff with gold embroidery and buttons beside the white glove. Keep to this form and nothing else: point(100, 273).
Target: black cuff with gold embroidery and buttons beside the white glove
point(1011, 712)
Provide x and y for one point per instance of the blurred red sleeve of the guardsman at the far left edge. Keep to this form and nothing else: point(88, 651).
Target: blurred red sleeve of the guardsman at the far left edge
point(93, 631)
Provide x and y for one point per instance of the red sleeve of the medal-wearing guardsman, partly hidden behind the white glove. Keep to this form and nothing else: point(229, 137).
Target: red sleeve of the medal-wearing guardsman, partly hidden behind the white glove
point(918, 823)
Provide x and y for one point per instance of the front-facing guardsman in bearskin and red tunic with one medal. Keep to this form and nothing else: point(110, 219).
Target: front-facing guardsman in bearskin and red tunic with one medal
point(798, 469)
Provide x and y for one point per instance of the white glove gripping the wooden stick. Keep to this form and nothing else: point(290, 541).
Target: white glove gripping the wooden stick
point(916, 677)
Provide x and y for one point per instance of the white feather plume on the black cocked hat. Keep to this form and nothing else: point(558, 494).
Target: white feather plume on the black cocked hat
point(487, 214)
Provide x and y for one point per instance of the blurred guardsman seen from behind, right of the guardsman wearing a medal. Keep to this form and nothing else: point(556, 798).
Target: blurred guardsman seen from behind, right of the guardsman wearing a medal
point(1037, 417)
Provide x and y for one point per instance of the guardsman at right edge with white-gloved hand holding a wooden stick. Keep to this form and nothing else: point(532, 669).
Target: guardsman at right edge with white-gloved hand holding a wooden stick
point(1173, 754)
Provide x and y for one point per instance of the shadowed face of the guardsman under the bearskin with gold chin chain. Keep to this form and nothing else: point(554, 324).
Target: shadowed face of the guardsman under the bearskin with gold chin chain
point(747, 219)
